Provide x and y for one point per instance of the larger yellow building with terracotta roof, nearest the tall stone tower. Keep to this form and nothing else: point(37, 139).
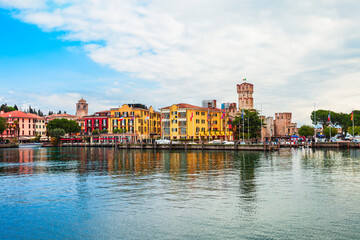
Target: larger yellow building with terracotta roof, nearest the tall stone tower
point(185, 121)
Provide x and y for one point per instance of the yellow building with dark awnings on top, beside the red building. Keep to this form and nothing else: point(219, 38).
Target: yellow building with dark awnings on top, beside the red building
point(137, 119)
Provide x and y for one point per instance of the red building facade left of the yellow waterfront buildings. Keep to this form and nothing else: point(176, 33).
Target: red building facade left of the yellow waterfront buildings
point(98, 121)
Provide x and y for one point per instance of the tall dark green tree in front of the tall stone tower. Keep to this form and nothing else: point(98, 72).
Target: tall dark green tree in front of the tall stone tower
point(252, 123)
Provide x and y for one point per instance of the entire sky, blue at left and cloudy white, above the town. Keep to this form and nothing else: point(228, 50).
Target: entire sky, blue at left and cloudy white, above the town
point(296, 53)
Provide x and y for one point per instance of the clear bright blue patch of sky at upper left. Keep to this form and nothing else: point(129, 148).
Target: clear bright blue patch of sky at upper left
point(38, 63)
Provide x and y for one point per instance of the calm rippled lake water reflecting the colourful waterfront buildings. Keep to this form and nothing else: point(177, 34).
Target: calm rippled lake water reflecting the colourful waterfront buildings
point(100, 193)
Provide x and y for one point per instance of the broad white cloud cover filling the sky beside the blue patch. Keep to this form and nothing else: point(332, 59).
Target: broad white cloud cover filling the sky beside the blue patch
point(294, 52)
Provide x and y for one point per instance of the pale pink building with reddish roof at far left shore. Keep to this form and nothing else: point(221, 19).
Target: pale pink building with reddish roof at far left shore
point(27, 125)
